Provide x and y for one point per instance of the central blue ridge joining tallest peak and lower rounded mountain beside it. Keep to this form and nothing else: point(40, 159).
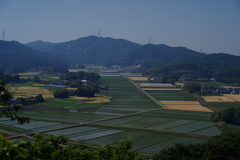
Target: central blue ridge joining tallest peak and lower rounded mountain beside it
point(99, 50)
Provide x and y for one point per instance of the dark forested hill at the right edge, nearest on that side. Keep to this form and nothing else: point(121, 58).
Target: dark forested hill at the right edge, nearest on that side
point(223, 67)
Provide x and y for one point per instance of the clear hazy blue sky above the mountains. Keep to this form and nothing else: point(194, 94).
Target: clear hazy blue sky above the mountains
point(209, 26)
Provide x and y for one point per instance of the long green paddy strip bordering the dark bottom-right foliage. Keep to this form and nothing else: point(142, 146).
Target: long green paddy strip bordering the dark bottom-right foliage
point(154, 149)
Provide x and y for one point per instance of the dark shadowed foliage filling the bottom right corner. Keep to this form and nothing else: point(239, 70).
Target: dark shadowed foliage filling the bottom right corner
point(222, 147)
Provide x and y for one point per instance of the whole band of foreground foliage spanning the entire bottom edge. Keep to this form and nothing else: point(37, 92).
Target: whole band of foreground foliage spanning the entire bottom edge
point(222, 147)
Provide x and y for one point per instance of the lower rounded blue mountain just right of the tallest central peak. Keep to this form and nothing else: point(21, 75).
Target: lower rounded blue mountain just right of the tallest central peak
point(150, 54)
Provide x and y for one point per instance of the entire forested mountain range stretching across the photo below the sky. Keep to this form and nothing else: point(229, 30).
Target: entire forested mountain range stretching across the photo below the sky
point(157, 60)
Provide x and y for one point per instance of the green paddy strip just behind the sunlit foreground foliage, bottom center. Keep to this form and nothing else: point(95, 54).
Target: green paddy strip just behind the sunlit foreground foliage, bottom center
point(115, 138)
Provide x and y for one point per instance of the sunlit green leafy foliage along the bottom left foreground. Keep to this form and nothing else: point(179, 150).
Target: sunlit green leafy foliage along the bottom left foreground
point(52, 148)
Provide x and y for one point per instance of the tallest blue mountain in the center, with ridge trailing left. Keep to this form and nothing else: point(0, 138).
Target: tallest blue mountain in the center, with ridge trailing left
point(88, 50)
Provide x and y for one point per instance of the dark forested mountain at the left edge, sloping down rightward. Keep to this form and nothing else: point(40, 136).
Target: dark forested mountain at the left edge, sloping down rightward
point(16, 57)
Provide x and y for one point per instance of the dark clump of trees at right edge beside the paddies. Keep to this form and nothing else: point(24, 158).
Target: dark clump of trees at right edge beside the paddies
point(229, 115)
